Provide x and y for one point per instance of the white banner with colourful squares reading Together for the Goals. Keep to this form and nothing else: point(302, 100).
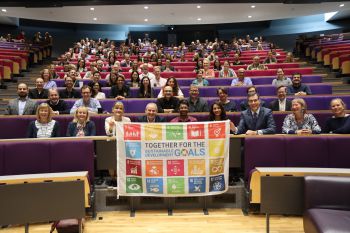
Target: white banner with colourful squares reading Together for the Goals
point(173, 159)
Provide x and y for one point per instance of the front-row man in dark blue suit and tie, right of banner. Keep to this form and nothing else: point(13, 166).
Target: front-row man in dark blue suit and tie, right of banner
point(256, 120)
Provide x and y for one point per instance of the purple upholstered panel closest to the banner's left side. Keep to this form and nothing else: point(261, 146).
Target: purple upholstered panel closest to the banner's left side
point(70, 156)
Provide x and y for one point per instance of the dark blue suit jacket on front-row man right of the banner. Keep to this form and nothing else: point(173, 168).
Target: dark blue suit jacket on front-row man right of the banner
point(265, 122)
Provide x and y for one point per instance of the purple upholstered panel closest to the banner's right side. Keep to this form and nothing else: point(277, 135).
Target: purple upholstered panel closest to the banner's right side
point(256, 153)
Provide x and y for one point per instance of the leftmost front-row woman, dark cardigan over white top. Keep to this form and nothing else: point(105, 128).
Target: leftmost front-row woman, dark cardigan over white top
point(44, 126)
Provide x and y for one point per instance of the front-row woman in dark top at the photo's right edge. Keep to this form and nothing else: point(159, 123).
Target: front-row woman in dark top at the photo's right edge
point(340, 121)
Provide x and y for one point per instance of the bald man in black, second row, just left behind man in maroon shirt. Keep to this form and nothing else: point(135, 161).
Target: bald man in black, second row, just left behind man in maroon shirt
point(168, 103)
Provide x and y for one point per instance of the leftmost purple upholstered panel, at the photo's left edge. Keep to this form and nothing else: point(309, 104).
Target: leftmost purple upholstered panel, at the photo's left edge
point(26, 157)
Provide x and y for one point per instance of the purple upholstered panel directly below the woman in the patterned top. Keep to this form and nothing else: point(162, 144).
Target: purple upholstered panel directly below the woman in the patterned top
point(306, 151)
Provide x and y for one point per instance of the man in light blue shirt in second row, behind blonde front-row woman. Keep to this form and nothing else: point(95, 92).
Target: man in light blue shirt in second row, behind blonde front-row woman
point(92, 104)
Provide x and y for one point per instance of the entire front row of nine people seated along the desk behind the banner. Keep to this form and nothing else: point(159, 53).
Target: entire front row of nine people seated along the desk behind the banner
point(256, 120)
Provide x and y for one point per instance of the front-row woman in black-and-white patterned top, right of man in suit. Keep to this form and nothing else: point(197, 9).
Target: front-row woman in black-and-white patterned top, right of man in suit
point(300, 122)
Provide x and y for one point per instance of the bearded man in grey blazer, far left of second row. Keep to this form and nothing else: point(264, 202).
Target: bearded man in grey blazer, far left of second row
point(21, 105)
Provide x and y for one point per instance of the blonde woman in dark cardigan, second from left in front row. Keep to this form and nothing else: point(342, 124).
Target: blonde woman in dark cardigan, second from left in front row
point(81, 125)
